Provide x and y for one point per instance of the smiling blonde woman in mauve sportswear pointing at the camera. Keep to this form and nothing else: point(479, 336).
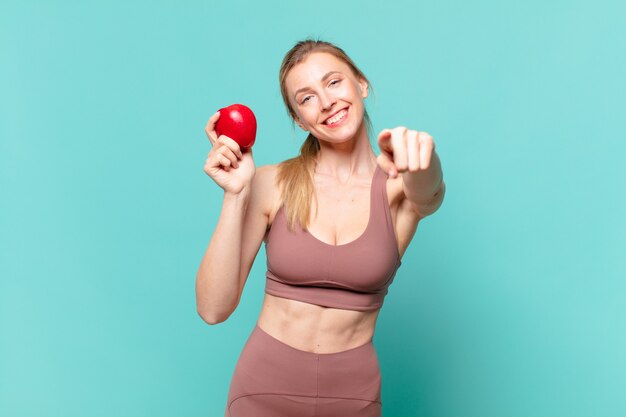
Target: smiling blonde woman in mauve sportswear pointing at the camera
point(311, 351)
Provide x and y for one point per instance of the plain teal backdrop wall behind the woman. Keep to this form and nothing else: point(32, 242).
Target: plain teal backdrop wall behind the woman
point(510, 299)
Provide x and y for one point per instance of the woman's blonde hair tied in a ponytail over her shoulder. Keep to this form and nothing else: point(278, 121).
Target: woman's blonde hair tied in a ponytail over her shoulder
point(295, 175)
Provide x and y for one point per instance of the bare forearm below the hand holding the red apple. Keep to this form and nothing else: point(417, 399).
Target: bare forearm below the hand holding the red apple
point(217, 280)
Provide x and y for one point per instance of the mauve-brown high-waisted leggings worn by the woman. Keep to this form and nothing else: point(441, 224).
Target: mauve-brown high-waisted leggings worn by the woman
point(273, 379)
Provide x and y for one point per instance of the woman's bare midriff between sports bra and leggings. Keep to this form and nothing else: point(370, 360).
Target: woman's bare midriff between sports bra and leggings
point(314, 328)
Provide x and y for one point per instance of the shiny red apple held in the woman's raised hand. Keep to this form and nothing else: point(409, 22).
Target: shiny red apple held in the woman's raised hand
point(238, 123)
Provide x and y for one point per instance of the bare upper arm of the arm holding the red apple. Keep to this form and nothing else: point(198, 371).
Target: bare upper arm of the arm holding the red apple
point(256, 220)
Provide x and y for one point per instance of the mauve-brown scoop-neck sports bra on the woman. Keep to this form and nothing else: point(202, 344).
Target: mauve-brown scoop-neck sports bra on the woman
point(352, 276)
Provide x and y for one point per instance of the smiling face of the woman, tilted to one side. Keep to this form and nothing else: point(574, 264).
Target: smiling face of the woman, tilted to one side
point(321, 88)
